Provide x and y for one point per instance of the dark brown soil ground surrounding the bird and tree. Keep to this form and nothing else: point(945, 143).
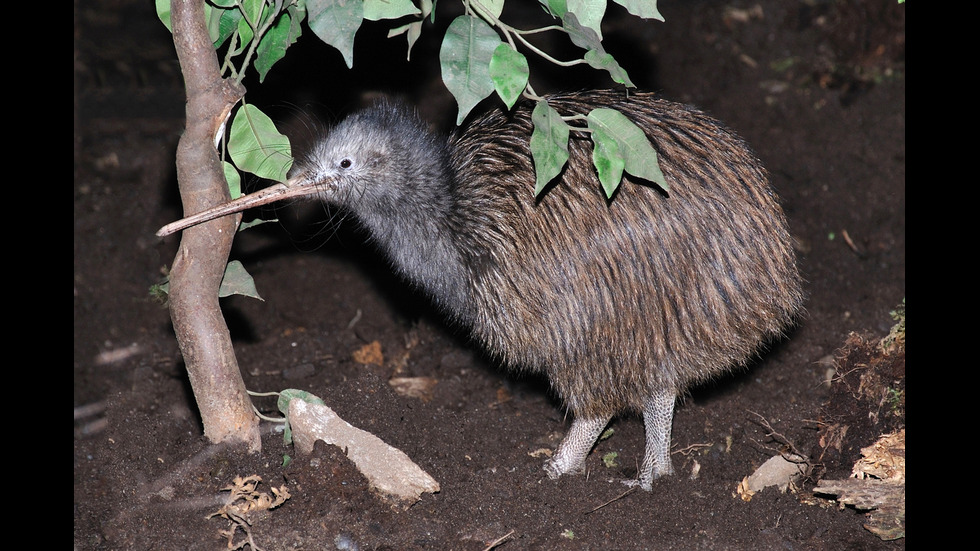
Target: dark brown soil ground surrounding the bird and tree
point(817, 87)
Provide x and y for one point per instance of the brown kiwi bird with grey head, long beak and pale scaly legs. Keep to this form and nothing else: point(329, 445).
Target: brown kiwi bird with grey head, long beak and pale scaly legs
point(622, 303)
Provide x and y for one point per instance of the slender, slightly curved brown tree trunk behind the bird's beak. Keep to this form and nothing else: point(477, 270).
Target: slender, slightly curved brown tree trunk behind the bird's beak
point(195, 277)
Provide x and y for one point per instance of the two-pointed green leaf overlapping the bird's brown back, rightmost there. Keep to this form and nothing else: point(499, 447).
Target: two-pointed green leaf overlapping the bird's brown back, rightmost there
point(620, 139)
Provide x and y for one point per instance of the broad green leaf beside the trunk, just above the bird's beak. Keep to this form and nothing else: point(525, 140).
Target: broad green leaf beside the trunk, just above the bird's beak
point(257, 146)
